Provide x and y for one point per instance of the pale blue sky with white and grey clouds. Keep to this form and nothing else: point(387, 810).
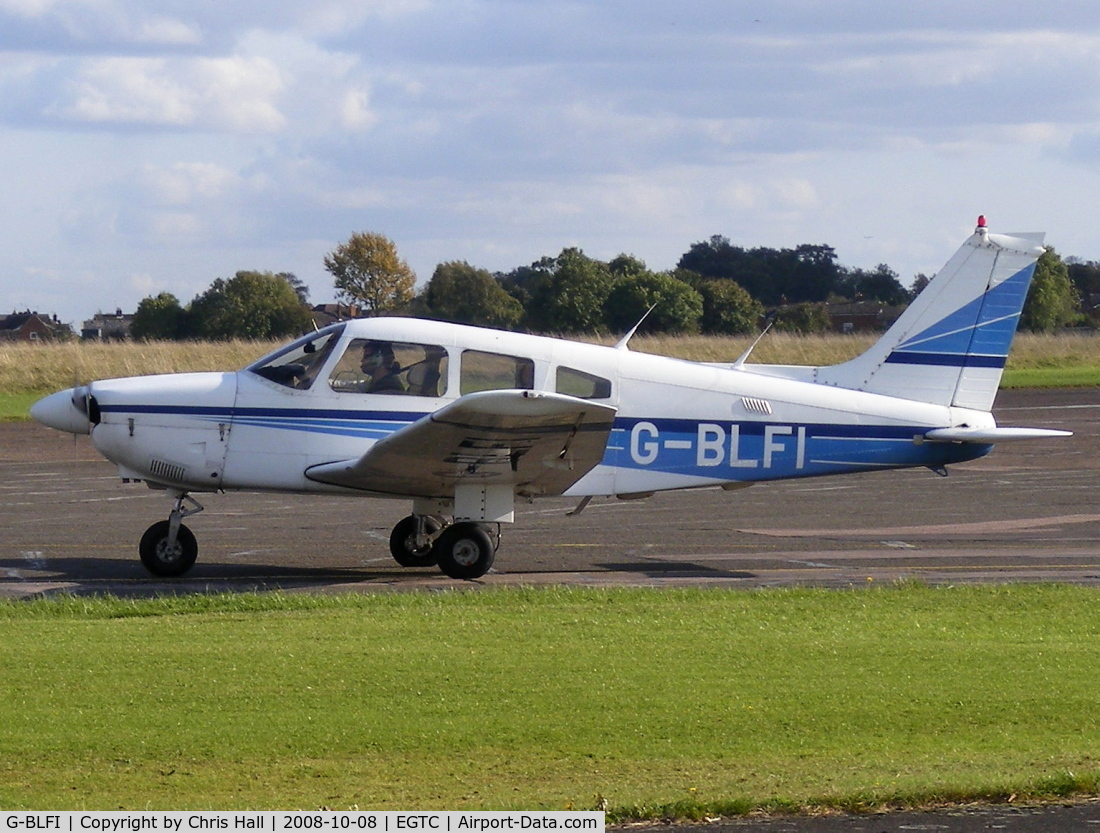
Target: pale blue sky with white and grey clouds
point(156, 146)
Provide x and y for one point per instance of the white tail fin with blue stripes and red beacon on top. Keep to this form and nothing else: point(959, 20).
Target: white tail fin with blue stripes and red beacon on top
point(951, 345)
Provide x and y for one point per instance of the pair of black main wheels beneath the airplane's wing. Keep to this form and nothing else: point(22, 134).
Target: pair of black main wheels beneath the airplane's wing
point(463, 551)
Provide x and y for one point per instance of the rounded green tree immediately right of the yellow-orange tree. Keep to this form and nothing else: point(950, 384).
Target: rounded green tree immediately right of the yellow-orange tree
point(460, 293)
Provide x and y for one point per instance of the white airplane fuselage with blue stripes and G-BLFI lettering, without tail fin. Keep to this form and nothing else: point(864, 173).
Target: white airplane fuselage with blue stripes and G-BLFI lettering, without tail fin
point(678, 425)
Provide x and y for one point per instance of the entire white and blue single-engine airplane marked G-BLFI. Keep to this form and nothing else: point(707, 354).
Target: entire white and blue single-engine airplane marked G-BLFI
point(465, 421)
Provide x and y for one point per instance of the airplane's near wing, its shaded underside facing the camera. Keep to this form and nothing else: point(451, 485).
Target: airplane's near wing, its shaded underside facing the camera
point(538, 443)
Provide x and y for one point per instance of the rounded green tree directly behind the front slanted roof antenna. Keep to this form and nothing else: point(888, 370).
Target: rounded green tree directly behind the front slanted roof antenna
point(677, 308)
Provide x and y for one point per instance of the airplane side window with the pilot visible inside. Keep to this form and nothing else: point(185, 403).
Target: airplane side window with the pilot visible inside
point(394, 368)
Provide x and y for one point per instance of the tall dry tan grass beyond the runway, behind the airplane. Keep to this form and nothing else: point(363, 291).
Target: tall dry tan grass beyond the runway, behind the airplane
point(27, 368)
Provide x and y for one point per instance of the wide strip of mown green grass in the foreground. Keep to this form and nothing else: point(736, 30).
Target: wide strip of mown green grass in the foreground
point(673, 702)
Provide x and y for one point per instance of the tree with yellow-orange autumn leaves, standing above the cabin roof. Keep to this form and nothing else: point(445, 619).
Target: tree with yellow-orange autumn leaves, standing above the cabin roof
point(369, 272)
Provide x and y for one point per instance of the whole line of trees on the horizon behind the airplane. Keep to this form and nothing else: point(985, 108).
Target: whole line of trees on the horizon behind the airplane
point(717, 289)
